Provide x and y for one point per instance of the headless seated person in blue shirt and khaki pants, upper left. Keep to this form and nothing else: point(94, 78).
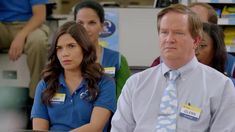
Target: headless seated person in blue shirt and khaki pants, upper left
point(22, 31)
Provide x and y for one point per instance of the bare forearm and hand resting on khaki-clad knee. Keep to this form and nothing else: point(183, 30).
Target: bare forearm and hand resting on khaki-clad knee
point(17, 45)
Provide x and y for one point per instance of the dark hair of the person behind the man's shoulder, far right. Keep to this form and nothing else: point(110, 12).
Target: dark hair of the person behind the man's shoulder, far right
point(217, 36)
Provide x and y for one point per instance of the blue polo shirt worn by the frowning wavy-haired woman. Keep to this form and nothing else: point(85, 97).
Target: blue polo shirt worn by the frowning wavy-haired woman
point(75, 111)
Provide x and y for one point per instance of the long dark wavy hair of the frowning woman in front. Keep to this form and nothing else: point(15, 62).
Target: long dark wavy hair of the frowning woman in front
point(91, 71)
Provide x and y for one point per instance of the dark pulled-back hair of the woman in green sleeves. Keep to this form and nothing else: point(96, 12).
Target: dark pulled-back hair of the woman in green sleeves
point(90, 4)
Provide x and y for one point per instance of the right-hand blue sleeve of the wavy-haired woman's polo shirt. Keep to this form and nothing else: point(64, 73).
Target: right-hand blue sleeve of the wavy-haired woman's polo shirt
point(107, 94)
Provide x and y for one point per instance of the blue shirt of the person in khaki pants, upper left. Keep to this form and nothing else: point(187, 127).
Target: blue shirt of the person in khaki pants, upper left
point(17, 10)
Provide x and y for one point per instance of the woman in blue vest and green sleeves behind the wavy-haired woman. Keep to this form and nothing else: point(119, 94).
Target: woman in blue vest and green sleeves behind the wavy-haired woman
point(91, 15)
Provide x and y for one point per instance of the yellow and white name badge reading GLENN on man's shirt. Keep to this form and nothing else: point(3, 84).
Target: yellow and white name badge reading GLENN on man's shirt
point(190, 112)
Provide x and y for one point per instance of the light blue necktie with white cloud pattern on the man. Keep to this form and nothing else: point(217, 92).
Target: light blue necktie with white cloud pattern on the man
point(166, 121)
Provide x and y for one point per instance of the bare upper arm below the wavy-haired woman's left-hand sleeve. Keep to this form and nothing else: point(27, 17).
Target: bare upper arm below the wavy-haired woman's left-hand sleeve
point(40, 124)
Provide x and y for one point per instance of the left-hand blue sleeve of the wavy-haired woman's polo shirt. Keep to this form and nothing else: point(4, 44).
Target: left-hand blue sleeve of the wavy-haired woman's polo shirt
point(39, 110)
